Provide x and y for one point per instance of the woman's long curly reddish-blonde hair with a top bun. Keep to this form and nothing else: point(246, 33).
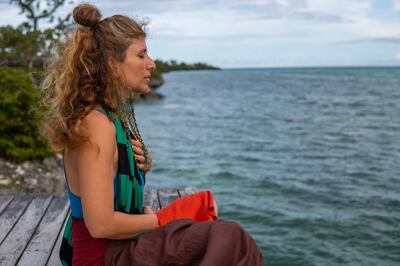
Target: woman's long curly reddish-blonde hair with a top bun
point(80, 78)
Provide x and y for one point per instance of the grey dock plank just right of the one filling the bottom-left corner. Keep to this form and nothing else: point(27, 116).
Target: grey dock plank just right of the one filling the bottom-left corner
point(40, 246)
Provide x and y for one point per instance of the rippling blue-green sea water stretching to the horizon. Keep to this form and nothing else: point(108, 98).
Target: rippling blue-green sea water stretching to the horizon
point(307, 160)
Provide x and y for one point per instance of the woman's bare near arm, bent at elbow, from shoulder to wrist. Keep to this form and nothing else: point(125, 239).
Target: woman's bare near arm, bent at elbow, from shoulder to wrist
point(96, 173)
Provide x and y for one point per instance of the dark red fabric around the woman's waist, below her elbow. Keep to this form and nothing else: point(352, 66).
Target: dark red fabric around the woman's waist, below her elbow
point(86, 249)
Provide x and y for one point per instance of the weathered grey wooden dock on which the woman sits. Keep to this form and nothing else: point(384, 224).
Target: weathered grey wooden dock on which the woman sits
point(31, 227)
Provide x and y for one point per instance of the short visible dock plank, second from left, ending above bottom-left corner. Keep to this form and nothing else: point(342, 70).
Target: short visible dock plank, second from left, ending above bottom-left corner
point(11, 214)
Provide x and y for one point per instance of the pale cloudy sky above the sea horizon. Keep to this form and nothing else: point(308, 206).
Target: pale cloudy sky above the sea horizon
point(260, 33)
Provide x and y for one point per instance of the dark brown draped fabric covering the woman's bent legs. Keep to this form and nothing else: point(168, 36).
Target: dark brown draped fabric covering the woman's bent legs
point(185, 242)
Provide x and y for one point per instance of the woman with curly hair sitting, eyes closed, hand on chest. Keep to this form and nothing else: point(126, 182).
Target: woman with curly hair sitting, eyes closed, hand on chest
point(105, 160)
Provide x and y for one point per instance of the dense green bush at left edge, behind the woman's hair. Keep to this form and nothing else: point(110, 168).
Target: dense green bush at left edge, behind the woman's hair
point(19, 139)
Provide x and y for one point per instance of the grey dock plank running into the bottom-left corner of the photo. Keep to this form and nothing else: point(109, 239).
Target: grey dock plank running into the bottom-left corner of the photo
point(16, 241)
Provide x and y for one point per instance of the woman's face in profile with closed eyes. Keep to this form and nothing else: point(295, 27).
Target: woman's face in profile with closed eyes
point(137, 66)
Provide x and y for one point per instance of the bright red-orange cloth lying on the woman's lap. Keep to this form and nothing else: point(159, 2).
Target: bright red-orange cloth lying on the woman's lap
point(198, 207)
